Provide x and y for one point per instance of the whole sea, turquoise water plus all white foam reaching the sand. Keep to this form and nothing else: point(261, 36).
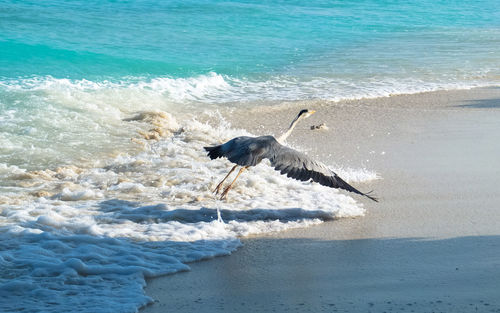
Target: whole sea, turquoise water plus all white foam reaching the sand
point(105, 107)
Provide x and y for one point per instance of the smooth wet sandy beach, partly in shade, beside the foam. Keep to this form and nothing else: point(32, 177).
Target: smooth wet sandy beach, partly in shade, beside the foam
point(432, 244)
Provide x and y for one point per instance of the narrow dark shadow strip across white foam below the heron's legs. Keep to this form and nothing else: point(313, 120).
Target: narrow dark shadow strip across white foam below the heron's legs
point(160, 213)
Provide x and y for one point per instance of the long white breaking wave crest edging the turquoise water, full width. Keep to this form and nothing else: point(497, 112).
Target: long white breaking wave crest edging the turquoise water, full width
point(216, 88)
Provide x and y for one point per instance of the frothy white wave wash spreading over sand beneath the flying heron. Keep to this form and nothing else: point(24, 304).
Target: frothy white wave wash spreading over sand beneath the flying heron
point(100, 230)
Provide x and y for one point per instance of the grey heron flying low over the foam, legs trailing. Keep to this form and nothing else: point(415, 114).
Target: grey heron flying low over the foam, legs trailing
point(249, 151)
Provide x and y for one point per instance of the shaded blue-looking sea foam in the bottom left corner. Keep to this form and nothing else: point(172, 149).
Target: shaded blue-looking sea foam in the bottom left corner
point(57, 273)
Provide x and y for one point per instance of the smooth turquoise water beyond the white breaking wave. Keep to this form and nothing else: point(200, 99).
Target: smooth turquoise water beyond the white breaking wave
point(334, 39)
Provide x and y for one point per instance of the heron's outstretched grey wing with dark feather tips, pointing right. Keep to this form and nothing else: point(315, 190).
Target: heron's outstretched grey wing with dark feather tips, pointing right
point(299, 166)
